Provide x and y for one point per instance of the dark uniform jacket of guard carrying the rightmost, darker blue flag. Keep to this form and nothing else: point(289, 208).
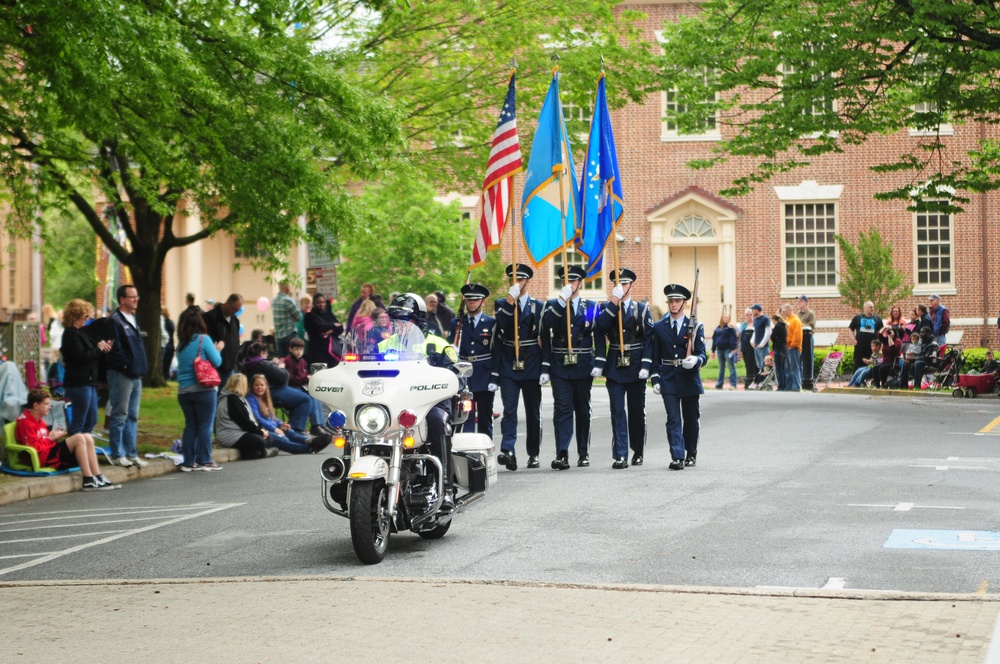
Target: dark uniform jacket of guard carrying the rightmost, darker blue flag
point(637, 328)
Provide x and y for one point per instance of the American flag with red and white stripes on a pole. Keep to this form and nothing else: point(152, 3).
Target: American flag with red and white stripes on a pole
point(504, 162)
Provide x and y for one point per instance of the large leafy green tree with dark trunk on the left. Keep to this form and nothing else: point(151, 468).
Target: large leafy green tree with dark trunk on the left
point(163, 109)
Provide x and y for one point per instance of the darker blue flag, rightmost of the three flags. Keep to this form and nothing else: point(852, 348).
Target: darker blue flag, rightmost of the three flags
point(601, 205)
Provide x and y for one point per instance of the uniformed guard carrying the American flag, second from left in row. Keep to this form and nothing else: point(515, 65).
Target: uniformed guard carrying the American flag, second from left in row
point(517, 373)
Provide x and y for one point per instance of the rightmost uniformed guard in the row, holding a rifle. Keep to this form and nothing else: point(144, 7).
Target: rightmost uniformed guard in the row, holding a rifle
point(678, 380)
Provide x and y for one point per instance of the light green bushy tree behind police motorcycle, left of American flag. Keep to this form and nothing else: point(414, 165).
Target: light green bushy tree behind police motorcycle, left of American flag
point(415, 244)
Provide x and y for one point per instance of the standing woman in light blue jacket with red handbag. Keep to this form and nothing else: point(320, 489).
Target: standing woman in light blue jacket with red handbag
point(197, 401)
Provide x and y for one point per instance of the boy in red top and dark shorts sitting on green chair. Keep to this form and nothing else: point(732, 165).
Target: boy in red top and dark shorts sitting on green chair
point(77, 450)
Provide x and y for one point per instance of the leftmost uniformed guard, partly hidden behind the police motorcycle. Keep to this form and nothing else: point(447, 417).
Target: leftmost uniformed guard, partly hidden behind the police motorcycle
point(475, 345)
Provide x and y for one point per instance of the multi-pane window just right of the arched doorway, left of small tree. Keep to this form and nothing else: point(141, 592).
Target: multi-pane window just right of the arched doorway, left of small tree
point(810, 245)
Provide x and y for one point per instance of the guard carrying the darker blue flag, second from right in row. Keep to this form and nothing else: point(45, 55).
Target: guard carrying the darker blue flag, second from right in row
point(625, 367)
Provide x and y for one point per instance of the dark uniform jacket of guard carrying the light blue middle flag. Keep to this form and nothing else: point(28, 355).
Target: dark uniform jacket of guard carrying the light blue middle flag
point(554, 347)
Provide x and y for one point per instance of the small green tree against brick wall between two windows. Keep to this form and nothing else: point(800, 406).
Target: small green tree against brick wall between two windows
point(870, 274)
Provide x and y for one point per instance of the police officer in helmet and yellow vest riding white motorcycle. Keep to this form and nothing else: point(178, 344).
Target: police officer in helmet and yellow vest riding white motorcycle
point(410, 308)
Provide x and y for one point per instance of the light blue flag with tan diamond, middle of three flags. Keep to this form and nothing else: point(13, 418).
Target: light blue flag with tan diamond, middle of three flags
point(549, 166)
